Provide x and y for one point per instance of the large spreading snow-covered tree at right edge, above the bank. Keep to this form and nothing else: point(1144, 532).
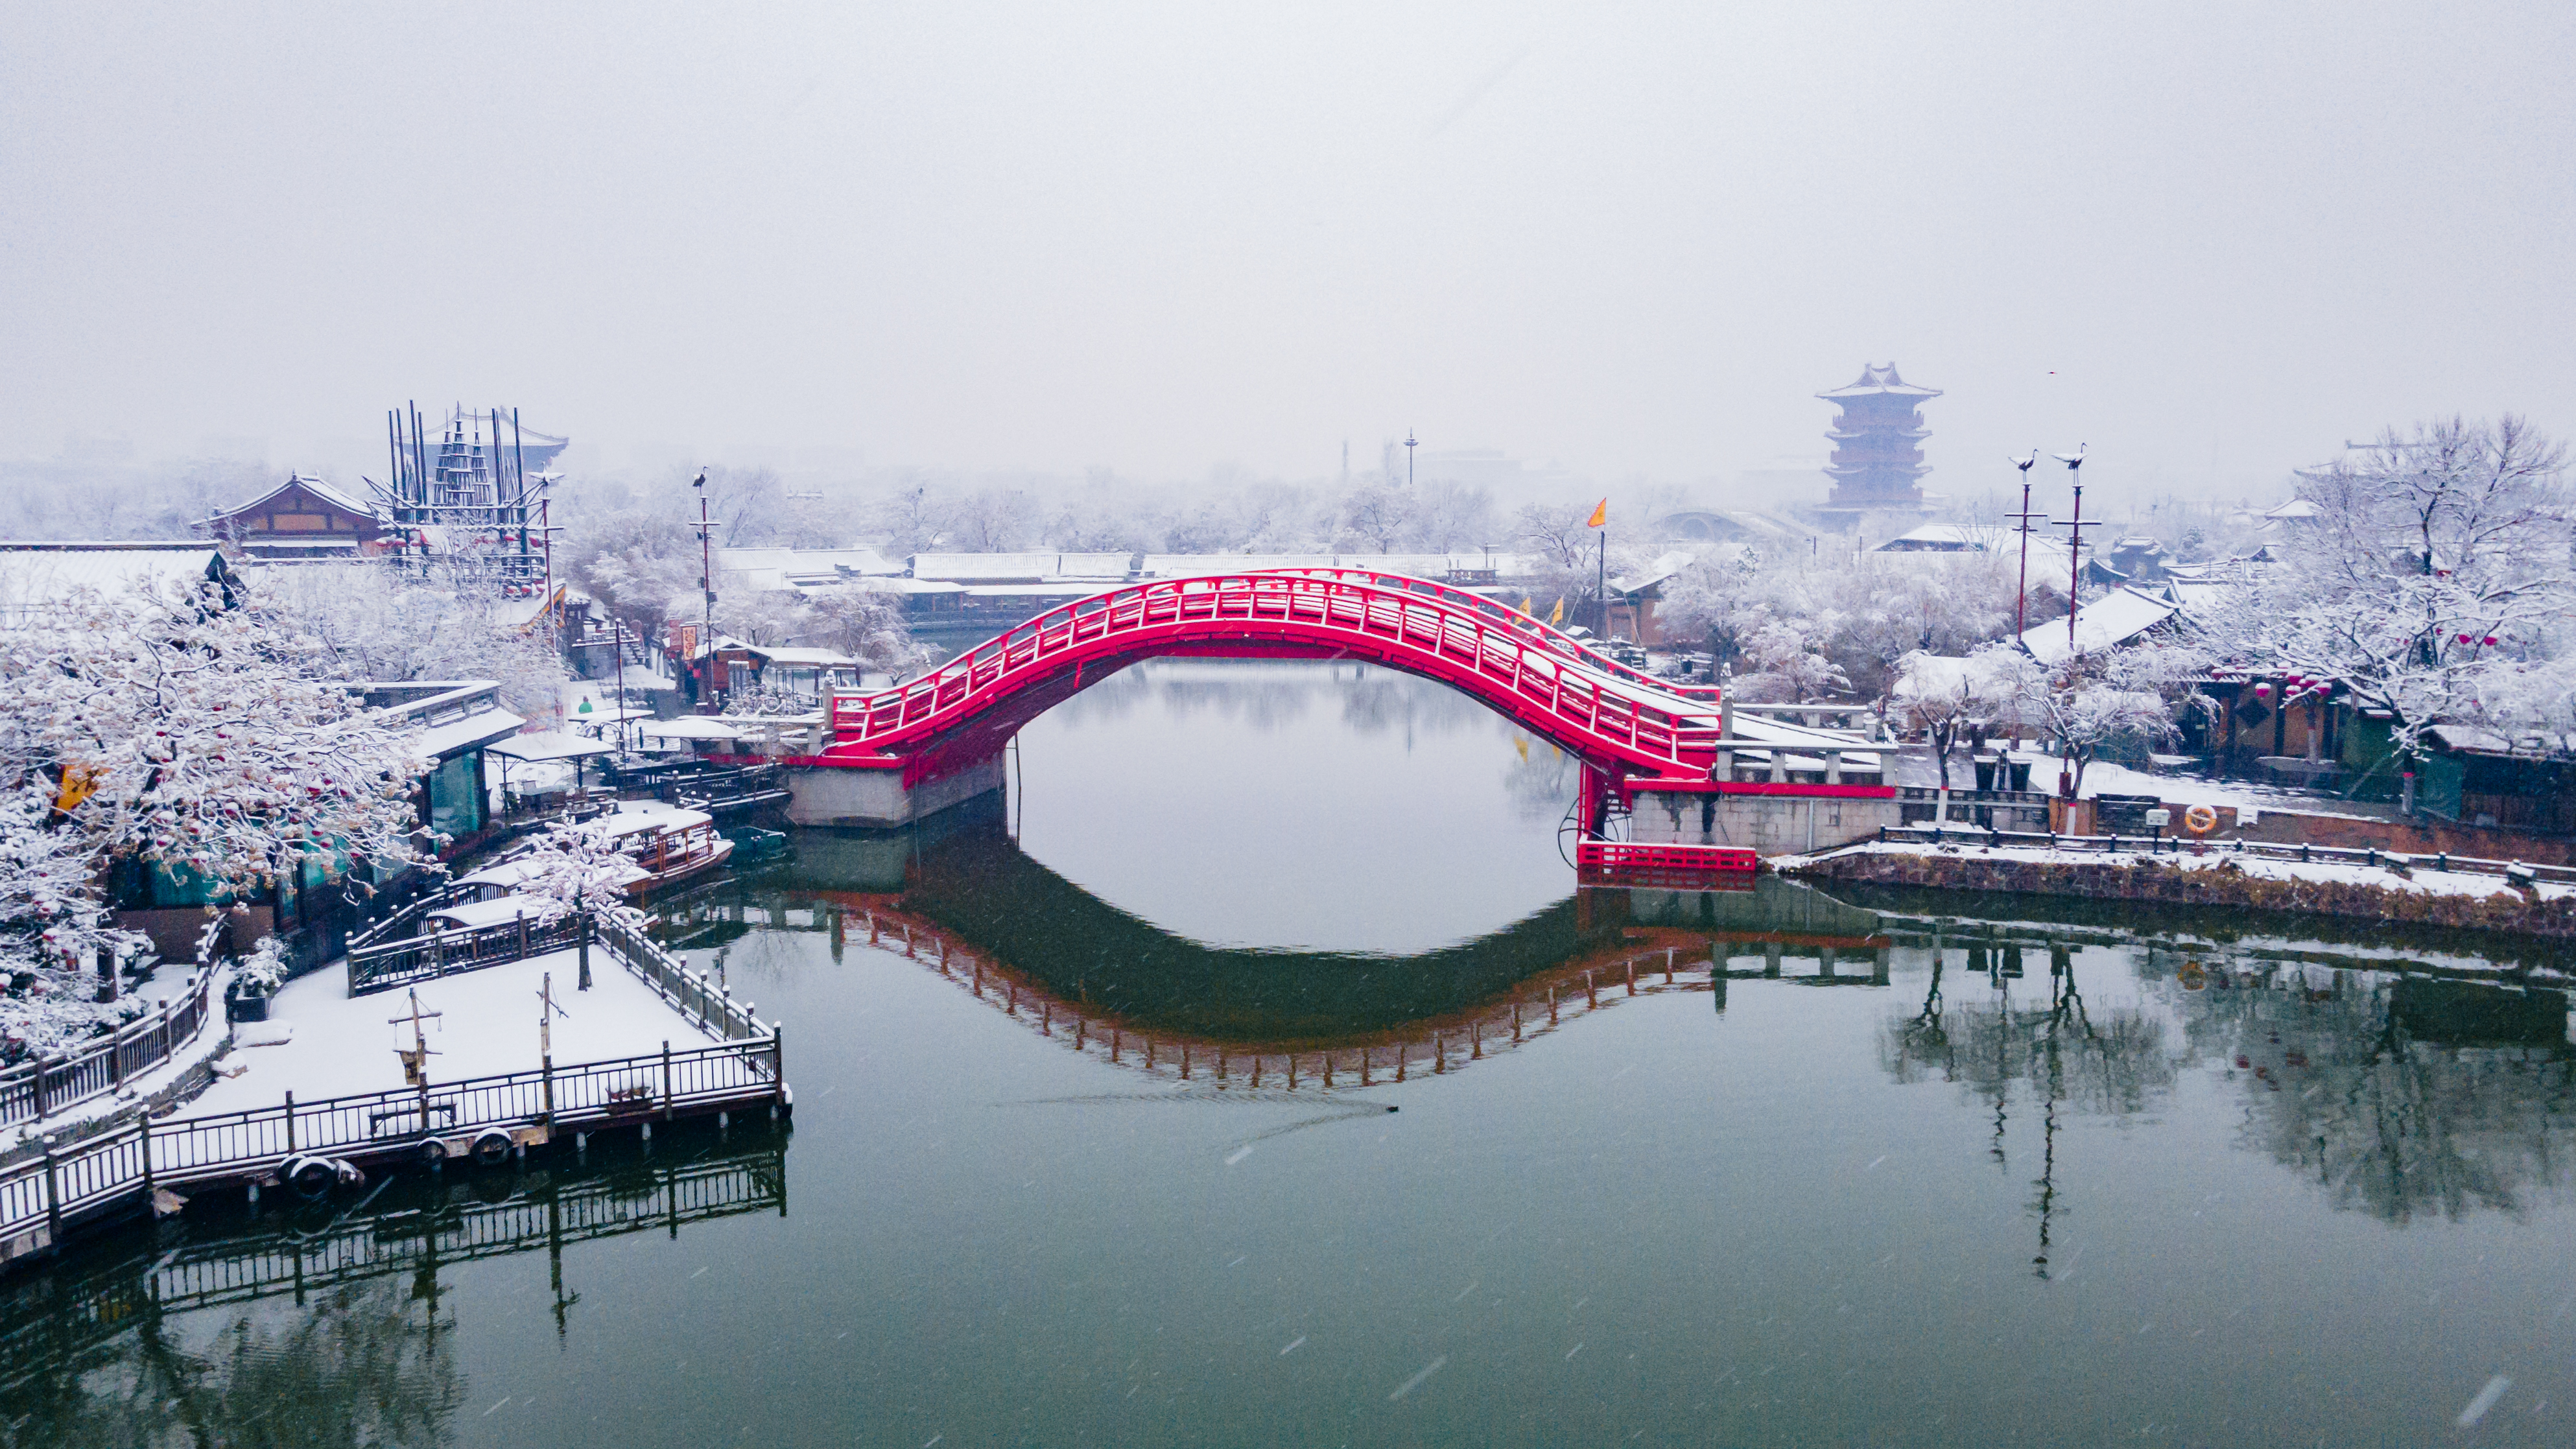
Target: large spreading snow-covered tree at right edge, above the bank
point(2433, 575)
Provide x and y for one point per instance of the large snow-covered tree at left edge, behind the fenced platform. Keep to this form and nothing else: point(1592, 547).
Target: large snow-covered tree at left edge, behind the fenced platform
point(166, 727)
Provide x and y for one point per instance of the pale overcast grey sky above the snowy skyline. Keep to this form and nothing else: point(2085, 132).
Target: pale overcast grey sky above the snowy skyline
point(2211, 241)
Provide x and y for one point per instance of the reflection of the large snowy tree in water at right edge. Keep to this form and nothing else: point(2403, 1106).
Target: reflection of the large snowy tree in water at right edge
point(2400, 1095)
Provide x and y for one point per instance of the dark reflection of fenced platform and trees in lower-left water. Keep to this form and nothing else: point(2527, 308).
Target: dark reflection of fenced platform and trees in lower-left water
point(169, 1345)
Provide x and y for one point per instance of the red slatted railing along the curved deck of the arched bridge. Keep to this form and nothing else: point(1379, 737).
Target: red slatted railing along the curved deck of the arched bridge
point(1632, 717)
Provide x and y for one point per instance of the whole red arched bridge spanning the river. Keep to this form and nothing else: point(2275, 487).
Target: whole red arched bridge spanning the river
point(1632, 730)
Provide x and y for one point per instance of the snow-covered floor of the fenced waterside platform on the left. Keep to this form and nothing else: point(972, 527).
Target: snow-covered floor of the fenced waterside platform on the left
point(321, 1041)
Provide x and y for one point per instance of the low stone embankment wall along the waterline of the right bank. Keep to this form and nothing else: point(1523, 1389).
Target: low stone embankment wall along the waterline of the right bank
point(2145, 879)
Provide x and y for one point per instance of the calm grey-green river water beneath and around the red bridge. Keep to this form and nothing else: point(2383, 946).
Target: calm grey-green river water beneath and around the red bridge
point(1068, 1170)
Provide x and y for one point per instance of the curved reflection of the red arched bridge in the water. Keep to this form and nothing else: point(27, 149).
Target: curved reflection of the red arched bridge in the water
point(972, 907)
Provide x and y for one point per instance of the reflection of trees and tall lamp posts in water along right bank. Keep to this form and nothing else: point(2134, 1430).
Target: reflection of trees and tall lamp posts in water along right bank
point(2397, 1093)
